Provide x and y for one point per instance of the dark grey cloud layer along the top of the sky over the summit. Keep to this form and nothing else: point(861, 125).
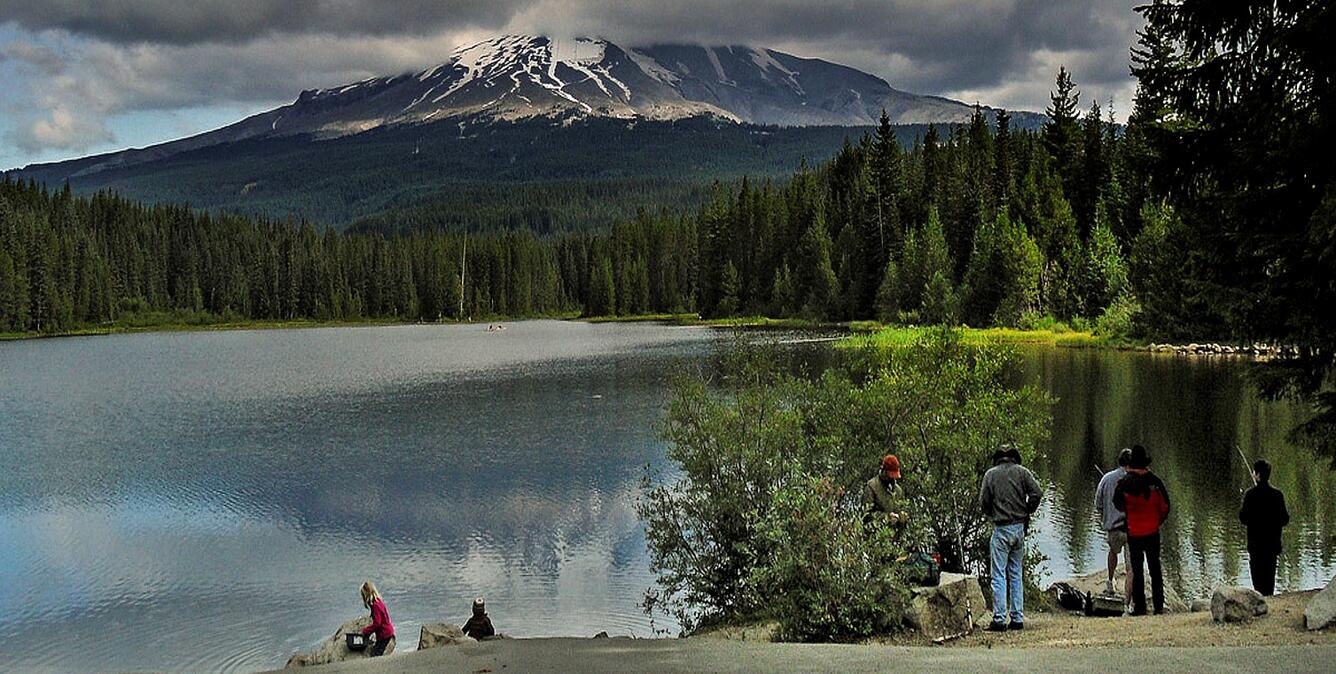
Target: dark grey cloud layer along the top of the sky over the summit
point(932, 45)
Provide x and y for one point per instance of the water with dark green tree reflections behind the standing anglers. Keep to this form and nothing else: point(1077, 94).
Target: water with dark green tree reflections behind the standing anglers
point(1191, 414)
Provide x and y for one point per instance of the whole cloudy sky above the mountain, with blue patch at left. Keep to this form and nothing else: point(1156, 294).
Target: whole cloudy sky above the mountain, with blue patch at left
point(81, 77)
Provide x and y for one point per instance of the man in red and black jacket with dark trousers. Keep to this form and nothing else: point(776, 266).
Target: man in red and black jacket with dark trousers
point(1146, 501)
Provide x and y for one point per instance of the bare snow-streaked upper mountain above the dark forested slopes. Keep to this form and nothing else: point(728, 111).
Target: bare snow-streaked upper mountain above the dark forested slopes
point(523, 77)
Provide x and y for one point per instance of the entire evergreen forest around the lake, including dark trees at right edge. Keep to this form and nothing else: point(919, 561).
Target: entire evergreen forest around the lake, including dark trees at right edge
point(1207, 216)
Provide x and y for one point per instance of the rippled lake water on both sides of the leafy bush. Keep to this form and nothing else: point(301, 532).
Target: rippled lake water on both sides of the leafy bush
point(213, 501)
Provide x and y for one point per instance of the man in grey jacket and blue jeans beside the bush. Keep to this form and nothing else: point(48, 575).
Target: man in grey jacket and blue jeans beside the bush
point(1009, 497)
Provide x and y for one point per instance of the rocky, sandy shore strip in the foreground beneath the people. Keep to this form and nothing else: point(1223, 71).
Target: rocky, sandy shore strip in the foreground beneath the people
point(949, 616)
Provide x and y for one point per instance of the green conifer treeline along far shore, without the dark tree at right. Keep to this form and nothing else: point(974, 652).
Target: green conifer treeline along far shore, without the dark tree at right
point(977, 224)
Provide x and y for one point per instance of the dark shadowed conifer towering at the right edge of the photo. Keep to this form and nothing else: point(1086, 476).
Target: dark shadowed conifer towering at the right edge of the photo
point(1232, 121)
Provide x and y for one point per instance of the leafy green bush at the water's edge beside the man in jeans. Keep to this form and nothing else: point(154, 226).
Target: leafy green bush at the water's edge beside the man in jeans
point(722, 534)
